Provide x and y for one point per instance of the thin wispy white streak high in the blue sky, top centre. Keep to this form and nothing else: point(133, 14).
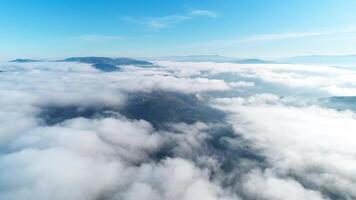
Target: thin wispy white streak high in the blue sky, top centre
point(155, 23)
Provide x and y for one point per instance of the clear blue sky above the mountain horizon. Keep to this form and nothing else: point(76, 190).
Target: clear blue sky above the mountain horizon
point(143, 28)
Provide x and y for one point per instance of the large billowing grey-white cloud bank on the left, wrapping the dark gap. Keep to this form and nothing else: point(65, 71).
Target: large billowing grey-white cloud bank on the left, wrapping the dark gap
point(104, 157)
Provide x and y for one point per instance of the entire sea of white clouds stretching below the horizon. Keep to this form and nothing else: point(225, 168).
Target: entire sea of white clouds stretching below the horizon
point(281, 136)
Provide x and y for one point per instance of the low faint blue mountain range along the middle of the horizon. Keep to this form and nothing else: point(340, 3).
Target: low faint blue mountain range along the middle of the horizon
point(213, 58)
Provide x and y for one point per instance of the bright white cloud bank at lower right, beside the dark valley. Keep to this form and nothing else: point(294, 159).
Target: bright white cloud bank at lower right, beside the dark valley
point(312, 143)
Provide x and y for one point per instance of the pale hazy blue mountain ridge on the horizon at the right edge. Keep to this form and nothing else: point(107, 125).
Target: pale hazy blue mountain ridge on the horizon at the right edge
point(349, 60)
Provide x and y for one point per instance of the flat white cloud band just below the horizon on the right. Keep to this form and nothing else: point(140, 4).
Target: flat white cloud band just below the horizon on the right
point(321, 80)
